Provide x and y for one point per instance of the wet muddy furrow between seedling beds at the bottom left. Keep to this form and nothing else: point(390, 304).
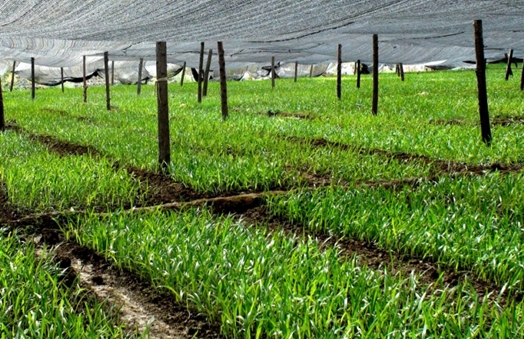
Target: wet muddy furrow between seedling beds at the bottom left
point(140, 306)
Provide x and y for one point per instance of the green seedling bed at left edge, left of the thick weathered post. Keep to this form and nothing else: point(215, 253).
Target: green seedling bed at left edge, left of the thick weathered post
point(39, 181)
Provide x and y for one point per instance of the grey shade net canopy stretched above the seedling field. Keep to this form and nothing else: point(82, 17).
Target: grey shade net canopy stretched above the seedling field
point(57, 33)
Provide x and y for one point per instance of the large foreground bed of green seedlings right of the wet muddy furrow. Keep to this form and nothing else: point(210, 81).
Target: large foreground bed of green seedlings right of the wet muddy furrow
point(259, 283)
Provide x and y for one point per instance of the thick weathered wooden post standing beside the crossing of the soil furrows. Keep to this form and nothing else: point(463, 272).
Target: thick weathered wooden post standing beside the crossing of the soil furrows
point(164, 153)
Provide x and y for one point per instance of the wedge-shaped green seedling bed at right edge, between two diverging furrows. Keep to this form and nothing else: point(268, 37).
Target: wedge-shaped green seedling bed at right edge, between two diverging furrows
point(466, 224)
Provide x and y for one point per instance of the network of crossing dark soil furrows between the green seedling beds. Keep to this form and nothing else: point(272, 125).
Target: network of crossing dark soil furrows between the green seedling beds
point(143, 304)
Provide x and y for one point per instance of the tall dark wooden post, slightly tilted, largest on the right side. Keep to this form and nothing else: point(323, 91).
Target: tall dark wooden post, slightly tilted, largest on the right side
point(481, 83)
